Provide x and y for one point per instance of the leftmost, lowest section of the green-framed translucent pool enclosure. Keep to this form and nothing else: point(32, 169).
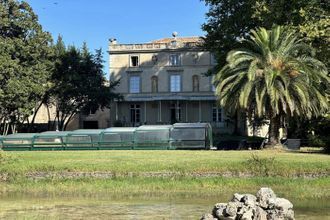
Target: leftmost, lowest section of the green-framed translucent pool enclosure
point(19, 141)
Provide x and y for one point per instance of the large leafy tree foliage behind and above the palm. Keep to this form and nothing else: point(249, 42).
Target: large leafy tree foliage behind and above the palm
point(230, 20)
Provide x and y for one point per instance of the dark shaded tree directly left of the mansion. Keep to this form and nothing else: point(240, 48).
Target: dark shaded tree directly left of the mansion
point(78, 83)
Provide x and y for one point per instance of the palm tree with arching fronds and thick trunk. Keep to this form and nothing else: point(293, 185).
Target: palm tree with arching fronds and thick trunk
point(274, 76)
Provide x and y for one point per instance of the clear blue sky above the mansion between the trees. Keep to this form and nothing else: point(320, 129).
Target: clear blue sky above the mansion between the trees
point(129, 21)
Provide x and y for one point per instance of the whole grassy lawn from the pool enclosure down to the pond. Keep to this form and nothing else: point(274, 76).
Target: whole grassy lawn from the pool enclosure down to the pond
point(299, 175)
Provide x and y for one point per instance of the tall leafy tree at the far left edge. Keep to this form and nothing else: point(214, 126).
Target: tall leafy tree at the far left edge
point(25, 63)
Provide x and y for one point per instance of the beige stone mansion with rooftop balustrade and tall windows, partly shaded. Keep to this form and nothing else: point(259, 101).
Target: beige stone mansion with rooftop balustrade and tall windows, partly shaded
point(163, 82)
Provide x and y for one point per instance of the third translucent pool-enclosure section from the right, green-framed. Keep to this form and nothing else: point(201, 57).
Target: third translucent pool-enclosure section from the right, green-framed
point(117, 138)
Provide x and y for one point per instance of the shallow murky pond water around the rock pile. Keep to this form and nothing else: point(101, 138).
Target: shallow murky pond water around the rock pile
point(136, 207)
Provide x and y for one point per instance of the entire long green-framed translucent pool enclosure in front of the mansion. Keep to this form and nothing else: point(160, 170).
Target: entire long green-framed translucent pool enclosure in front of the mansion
point(177, 136)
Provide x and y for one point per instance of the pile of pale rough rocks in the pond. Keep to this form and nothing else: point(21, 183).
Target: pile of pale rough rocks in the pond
point(264, 206)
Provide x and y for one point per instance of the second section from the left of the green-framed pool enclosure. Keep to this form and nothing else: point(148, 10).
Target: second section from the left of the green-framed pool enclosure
point(50, 140)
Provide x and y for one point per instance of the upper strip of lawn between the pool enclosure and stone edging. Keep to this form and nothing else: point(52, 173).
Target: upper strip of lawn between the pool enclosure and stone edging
point(122, 162)
